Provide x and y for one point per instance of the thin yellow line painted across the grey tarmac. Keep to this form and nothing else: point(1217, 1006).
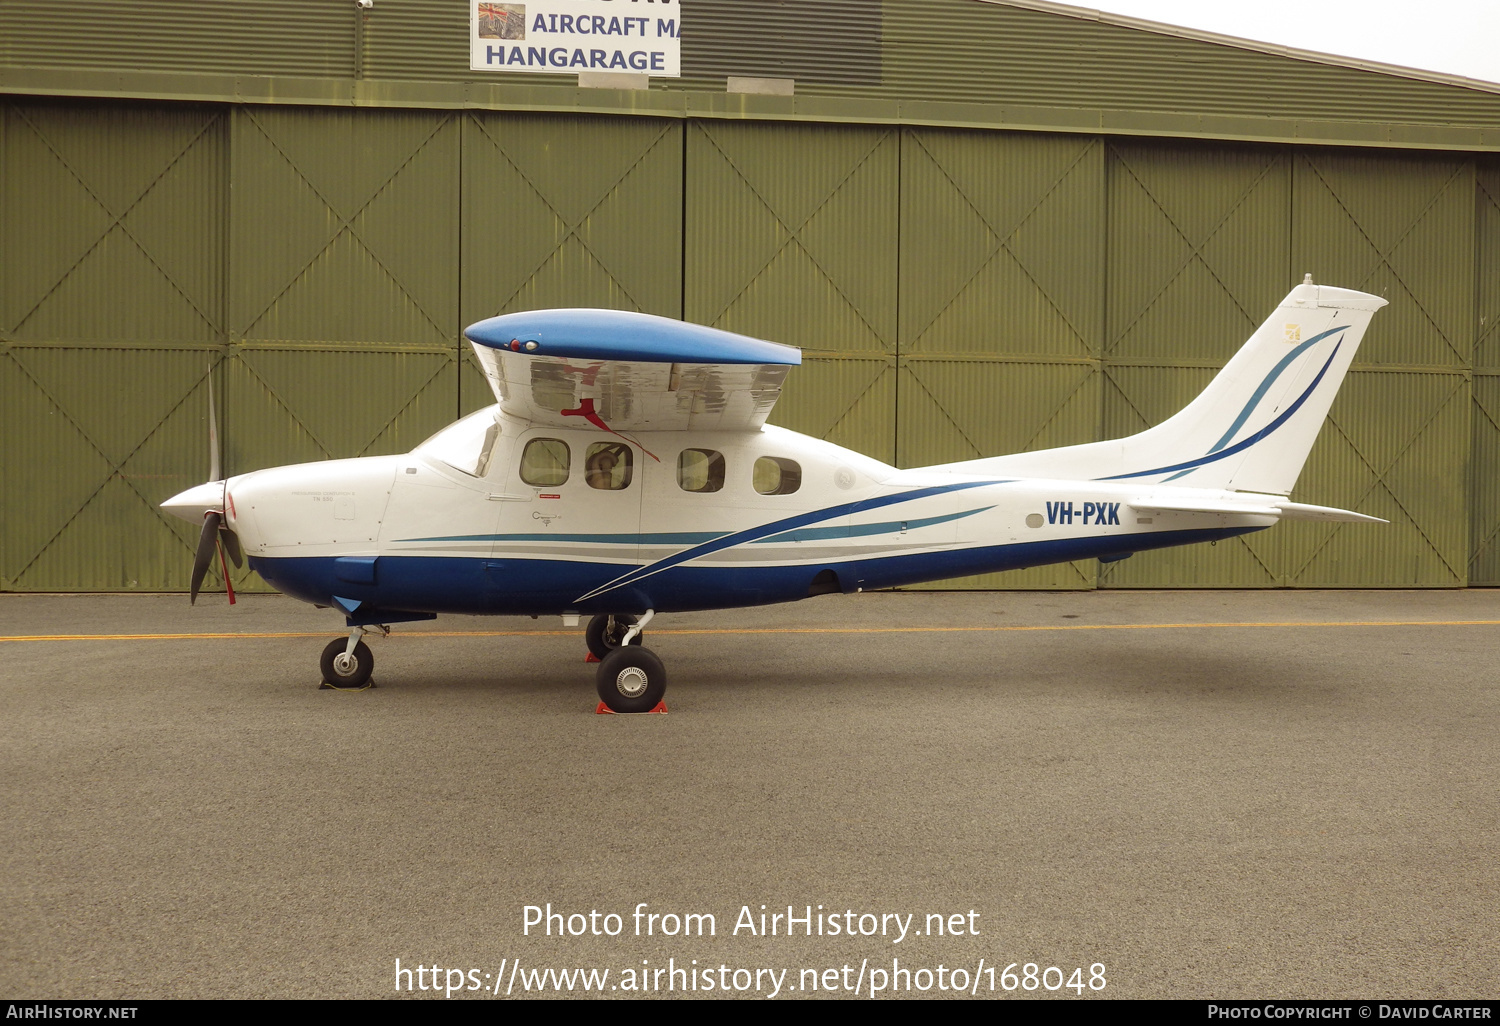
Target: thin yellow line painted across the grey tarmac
point(773, 631)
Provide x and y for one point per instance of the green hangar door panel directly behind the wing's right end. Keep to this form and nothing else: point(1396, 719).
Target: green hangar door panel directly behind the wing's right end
point(791, 235)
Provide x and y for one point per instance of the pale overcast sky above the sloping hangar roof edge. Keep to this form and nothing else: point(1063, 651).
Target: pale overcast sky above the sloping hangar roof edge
point(1454, 37)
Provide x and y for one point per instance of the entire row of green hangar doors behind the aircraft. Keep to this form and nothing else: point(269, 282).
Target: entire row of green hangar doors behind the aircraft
point(958, 293)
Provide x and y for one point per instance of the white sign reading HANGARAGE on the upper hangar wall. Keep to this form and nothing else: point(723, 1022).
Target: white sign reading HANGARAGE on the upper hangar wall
point(572, 37)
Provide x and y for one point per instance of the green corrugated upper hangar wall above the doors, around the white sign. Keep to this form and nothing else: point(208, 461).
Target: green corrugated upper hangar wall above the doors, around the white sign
point(995, 64)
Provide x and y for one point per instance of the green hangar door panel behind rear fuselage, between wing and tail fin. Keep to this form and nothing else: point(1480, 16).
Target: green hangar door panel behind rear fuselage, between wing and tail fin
point(1001, 305)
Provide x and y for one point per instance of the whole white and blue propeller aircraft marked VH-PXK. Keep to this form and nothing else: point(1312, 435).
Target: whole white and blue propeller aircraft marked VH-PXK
point(628, 470)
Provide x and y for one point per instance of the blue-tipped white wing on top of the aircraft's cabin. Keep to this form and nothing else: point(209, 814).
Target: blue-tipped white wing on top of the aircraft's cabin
point(629, 371)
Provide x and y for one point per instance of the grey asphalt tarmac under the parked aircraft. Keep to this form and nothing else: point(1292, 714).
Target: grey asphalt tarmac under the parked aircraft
point(1277, 794)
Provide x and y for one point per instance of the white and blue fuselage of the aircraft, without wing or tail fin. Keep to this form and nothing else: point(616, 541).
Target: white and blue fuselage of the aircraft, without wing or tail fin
point(698, 521)
